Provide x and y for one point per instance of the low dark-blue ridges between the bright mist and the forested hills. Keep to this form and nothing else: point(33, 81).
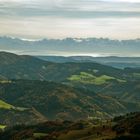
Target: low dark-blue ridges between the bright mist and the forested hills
point(118, 62)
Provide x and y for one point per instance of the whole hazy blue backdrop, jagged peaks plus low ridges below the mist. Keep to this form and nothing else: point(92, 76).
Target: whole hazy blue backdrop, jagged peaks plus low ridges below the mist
point(105, 50)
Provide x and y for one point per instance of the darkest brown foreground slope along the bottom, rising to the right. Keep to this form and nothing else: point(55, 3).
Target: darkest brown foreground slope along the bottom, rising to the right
point(121, 128)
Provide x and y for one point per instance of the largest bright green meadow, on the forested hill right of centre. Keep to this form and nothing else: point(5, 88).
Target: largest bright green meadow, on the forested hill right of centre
point(87, 78)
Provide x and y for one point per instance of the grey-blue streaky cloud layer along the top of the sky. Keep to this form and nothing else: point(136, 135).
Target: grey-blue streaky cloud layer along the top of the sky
point(68, 9)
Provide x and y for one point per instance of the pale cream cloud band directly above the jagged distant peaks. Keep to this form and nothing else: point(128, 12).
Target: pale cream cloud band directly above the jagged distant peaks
point(62, 27)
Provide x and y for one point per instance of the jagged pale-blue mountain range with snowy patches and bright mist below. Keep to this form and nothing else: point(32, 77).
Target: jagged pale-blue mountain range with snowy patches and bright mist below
point(72, 46)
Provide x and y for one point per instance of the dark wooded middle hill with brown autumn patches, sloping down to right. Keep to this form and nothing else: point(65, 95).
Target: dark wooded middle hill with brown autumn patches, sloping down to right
point(58, 101)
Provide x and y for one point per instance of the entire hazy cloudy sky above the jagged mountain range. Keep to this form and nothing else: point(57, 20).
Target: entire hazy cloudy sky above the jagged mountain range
point(33, 19)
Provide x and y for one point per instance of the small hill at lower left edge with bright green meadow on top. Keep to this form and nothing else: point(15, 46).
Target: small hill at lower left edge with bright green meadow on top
point(15, 115)
